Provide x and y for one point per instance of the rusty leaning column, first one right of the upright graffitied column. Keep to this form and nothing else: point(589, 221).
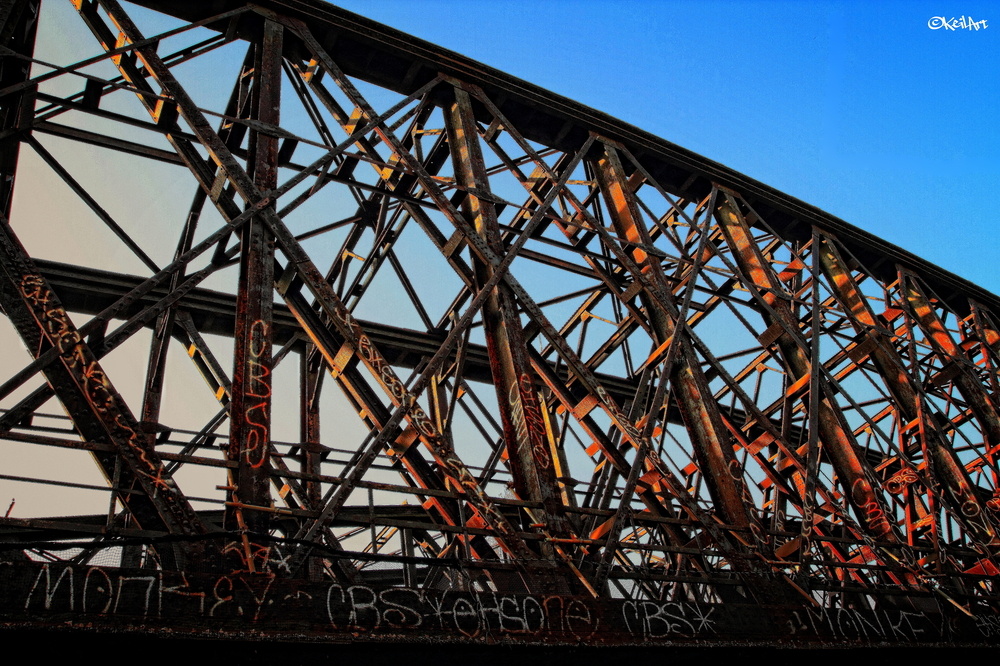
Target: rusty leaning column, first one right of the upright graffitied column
point(524, 428)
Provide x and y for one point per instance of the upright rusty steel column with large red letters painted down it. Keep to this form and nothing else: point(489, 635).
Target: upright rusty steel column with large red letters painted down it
point(250, 410)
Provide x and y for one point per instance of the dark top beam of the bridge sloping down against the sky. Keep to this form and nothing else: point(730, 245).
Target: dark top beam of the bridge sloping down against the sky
point(407, 62)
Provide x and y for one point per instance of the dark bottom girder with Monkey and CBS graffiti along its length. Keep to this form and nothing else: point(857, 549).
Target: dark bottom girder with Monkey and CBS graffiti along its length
point(271, 606)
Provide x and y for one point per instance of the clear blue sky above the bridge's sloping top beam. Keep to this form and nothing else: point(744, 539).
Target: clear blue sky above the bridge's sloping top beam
point(859, 108)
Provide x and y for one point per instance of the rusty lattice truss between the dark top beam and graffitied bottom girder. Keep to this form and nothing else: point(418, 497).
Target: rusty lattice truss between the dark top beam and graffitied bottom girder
point(447, 341)
